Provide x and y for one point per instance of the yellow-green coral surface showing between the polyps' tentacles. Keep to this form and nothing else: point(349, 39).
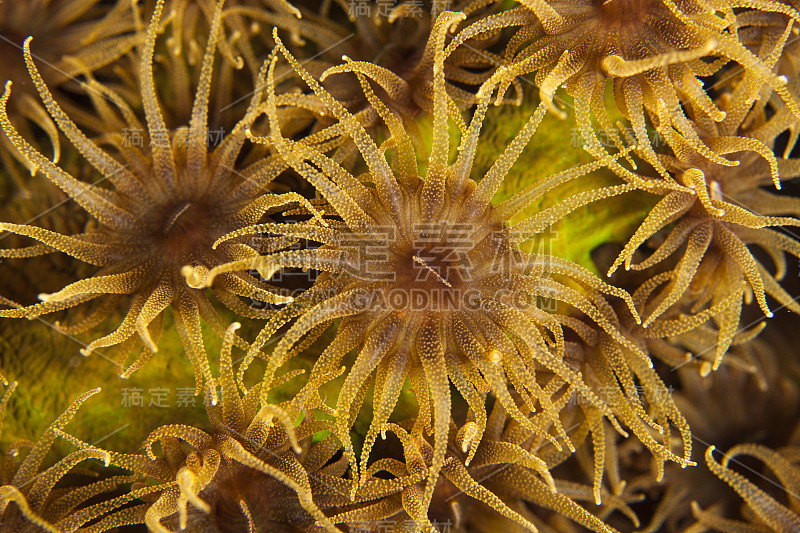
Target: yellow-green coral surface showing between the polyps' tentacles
point(51, 372)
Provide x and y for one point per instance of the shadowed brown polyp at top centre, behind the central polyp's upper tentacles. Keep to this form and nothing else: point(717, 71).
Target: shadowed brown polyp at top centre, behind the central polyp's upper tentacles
point(392, 45)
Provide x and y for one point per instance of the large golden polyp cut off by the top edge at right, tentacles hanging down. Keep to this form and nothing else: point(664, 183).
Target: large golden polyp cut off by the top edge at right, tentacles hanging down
point(653, 52)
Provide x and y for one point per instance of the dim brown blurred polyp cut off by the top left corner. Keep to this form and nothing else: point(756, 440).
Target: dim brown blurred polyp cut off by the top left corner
point(72, 39)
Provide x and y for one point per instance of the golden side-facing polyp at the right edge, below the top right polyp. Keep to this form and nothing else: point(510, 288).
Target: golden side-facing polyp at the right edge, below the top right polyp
point(714, 216)
